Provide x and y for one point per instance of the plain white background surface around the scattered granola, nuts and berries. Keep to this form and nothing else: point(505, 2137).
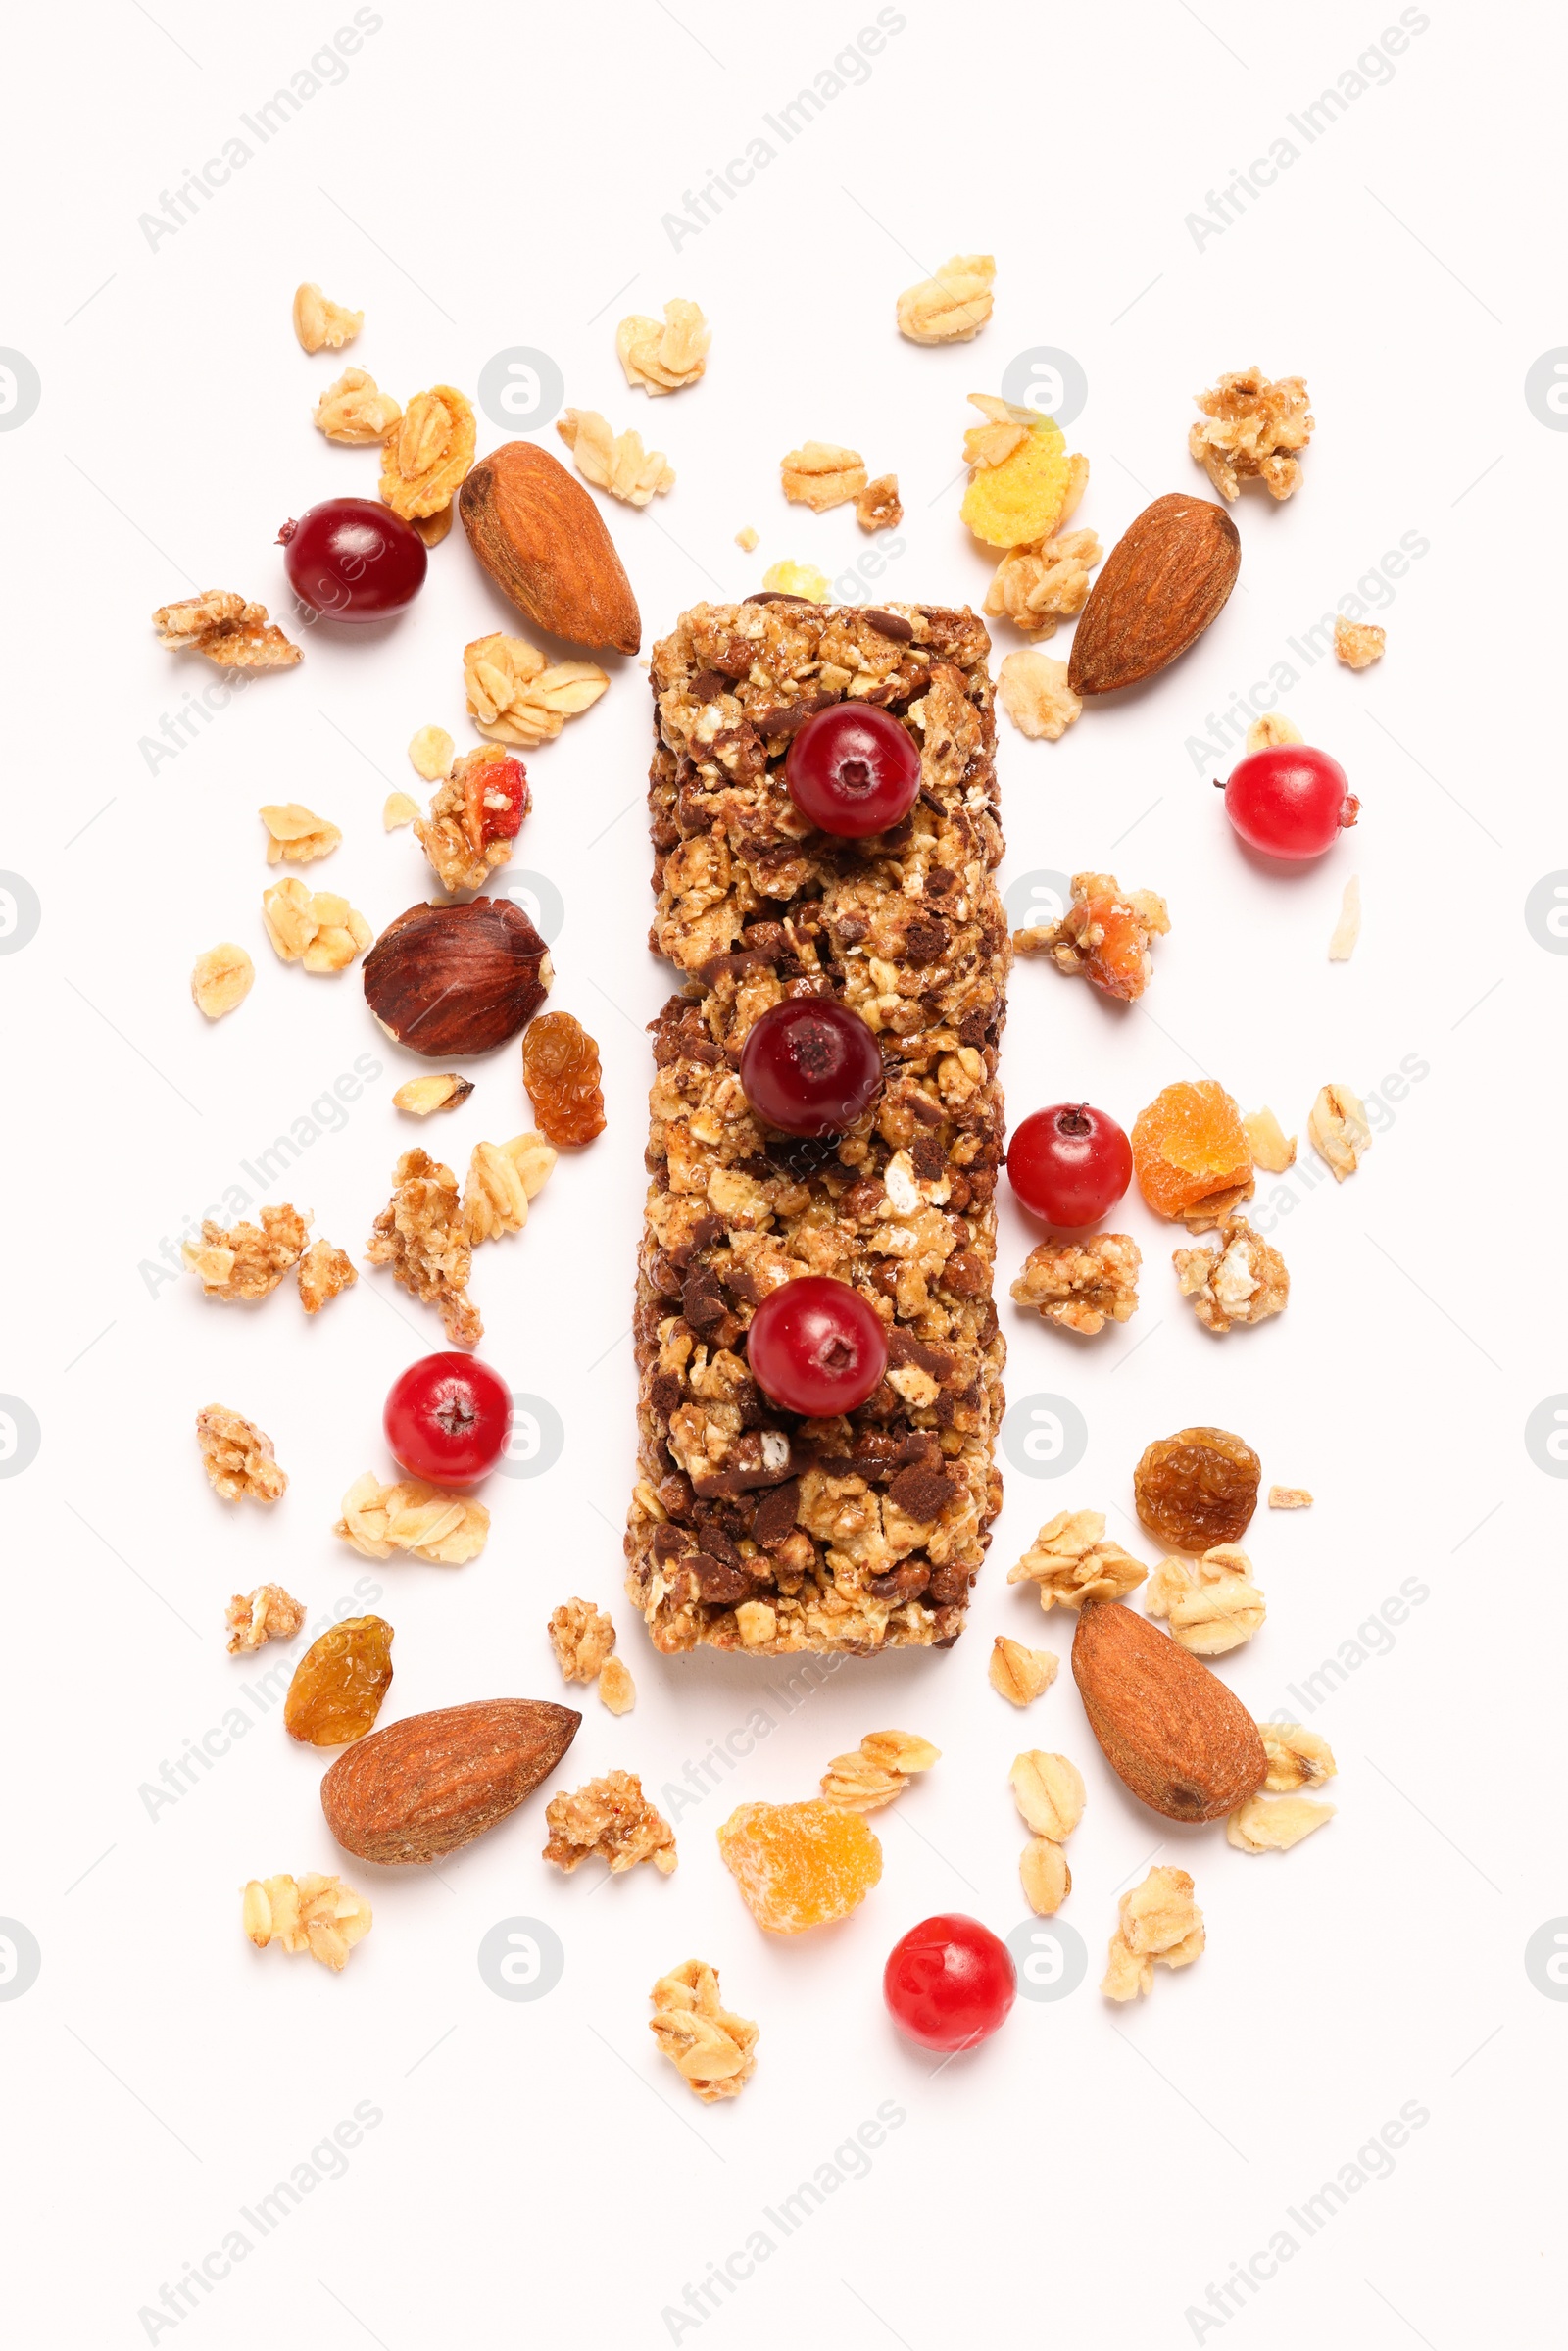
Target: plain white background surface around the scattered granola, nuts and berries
point(495, 178)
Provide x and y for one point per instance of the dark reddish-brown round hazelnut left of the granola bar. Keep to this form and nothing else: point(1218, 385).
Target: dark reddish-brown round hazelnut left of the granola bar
point(457, 979)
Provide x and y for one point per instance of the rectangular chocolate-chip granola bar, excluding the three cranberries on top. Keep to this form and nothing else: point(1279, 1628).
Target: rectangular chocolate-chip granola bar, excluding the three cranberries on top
point(751, 1527)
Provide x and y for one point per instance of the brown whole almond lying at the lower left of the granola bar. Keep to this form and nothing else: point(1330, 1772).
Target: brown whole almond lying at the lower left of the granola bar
point(434, 1783)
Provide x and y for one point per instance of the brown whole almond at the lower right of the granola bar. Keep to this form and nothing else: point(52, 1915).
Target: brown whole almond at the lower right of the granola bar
point(1172, 1732)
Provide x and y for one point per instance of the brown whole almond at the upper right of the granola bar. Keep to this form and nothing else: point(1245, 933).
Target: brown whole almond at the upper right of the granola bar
point(1162, 584)
